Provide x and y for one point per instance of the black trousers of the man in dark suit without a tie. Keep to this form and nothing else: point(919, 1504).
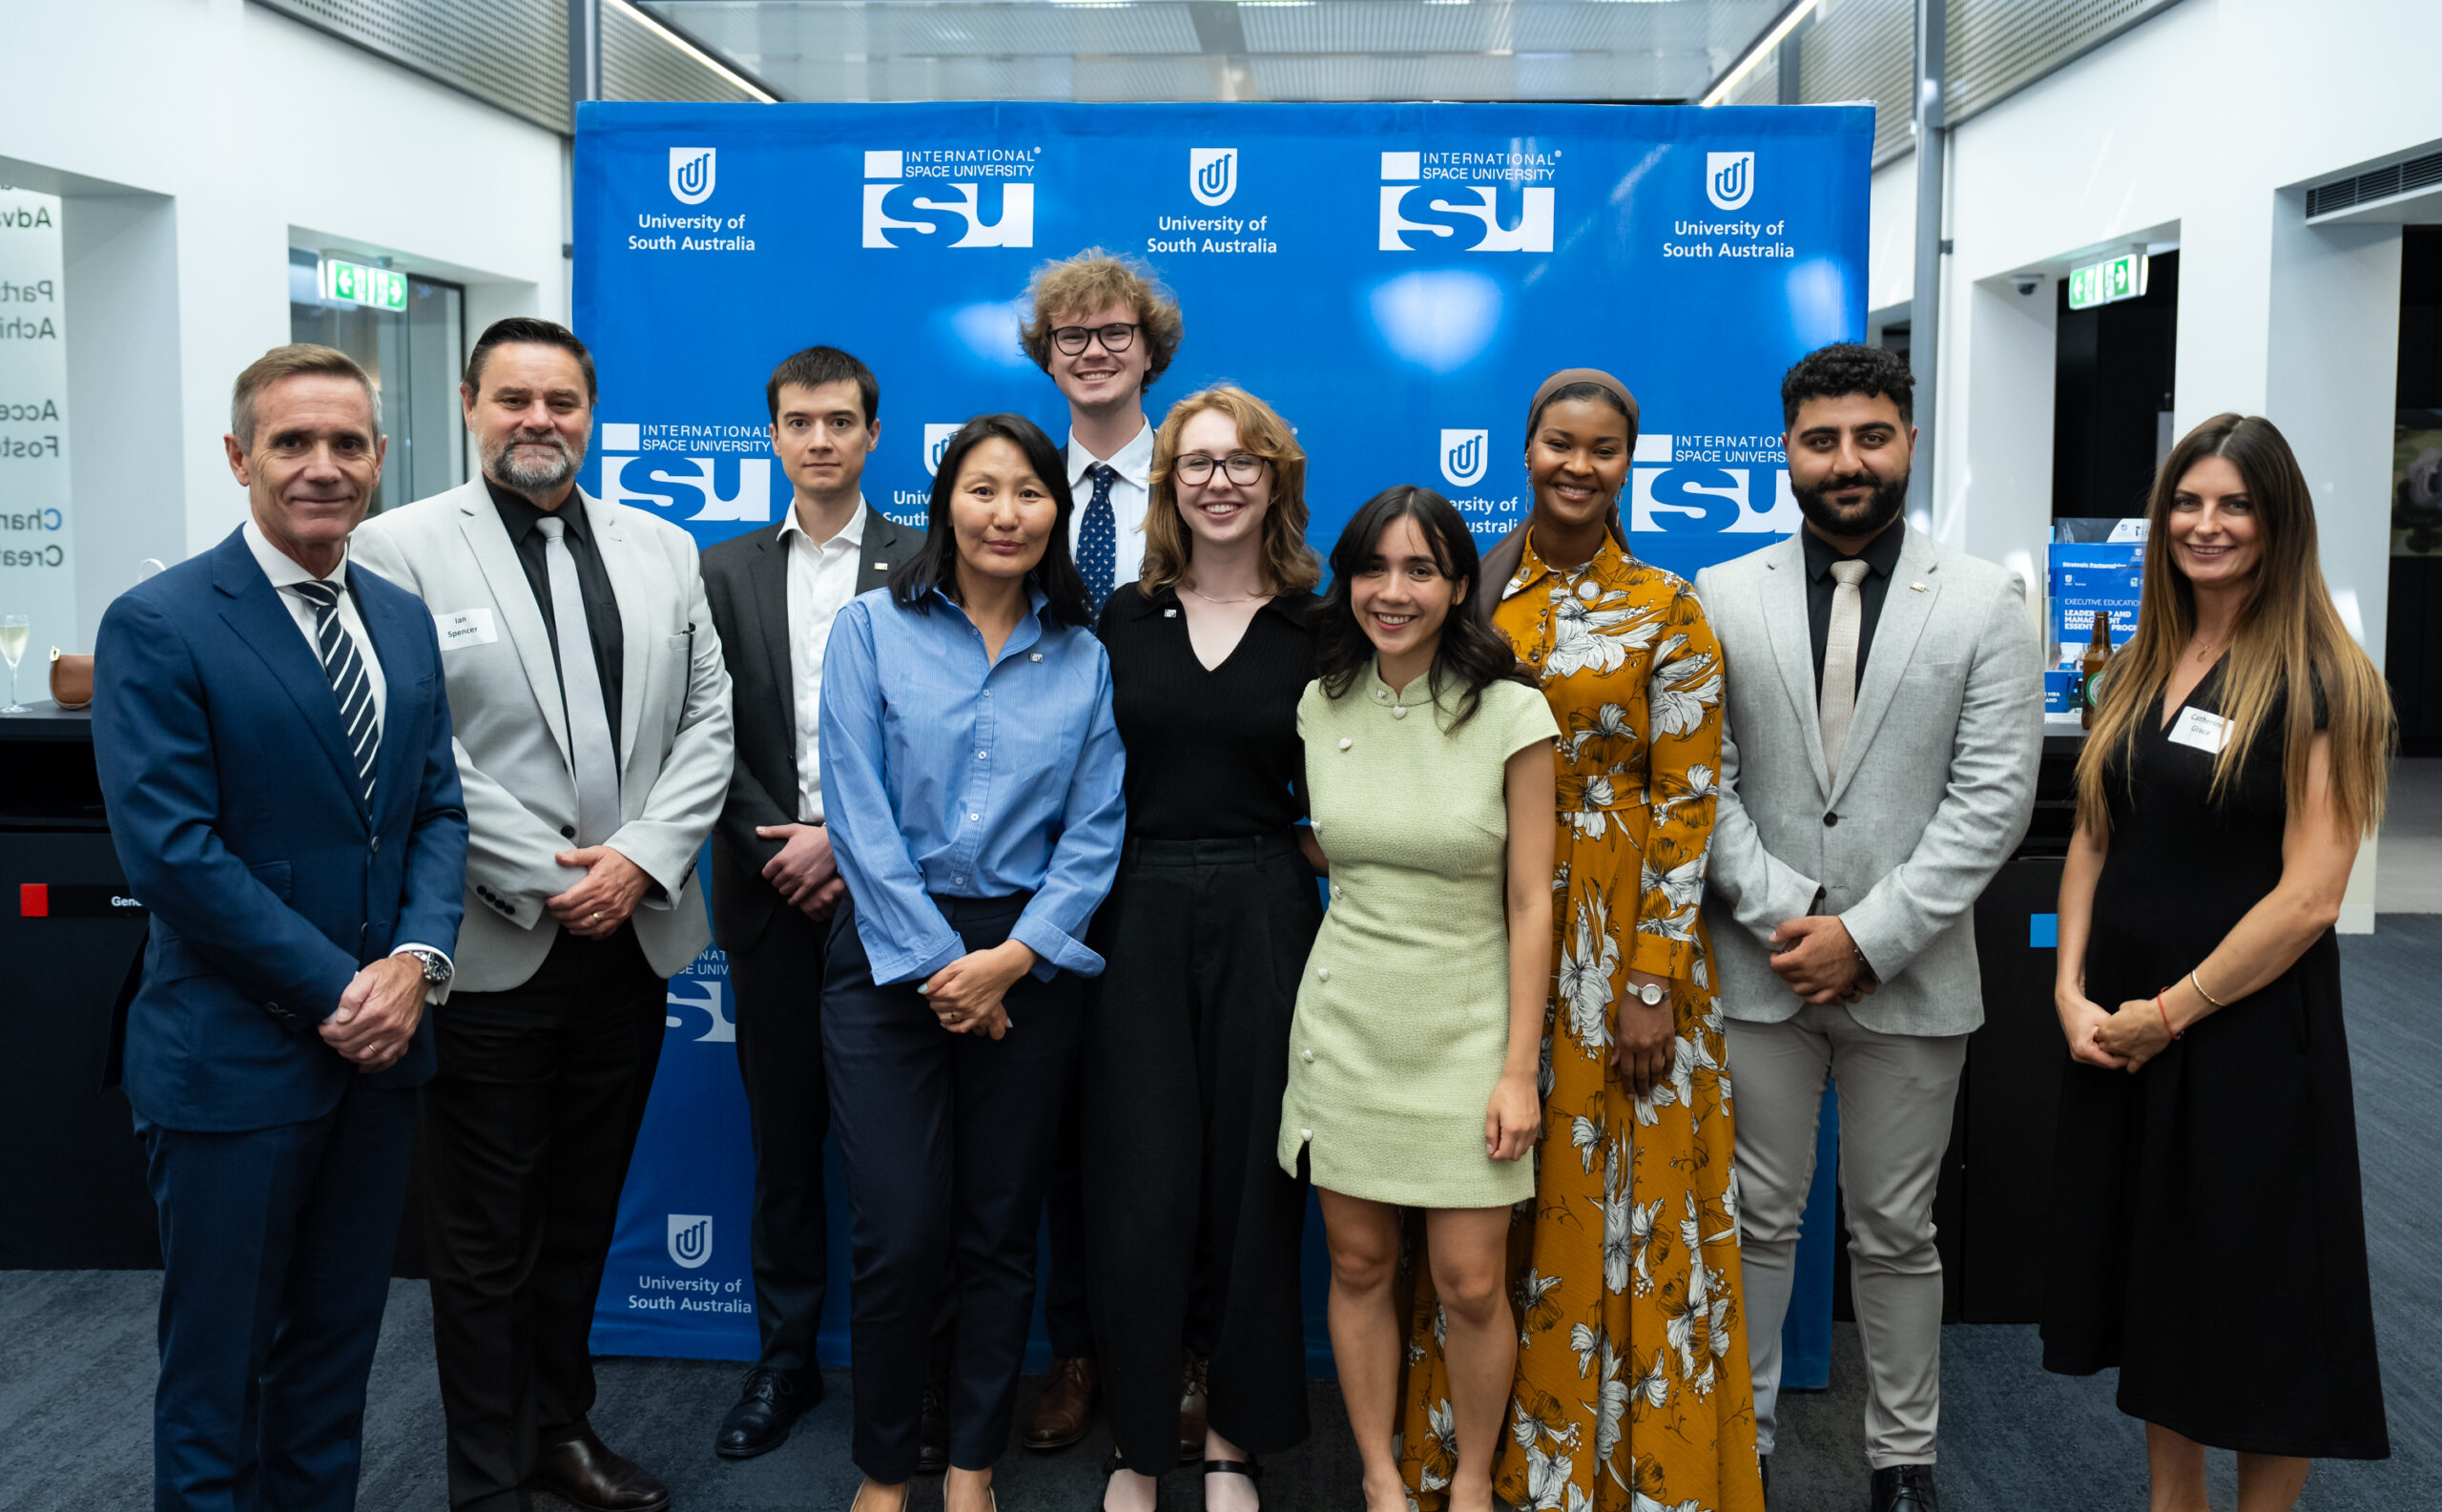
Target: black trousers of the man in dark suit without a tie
point(780, 1059)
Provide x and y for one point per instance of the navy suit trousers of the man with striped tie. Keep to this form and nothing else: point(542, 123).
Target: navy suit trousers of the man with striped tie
point(275, 1269)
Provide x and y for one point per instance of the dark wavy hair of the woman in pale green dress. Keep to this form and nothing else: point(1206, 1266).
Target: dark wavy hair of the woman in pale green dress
point(1471, 651)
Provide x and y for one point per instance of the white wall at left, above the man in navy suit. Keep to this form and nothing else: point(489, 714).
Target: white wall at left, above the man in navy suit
point(192, 138)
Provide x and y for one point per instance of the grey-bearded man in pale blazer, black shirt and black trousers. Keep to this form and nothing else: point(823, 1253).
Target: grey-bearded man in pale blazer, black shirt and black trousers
point(595, 746)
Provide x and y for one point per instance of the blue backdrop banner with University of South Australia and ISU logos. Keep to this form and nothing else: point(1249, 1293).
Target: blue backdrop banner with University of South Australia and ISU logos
point(1396, 280)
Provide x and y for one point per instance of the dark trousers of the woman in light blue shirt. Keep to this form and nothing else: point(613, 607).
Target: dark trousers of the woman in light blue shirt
point(944, 1139)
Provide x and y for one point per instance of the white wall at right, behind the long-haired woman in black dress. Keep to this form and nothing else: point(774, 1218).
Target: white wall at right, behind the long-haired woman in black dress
point(2201, 126)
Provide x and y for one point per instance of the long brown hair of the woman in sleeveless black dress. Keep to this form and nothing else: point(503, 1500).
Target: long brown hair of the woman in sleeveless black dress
point(2289, 641)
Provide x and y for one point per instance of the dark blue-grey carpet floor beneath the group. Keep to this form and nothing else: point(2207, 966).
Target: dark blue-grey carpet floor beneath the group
point(77, 1369)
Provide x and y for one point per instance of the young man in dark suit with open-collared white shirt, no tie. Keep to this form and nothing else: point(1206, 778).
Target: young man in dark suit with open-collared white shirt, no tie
point(775, 885)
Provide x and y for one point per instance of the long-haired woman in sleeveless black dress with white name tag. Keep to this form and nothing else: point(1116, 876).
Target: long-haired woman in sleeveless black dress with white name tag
point(2209, 1230)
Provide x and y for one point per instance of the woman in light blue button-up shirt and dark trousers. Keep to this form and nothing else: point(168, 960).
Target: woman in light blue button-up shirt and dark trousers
point(971, 783)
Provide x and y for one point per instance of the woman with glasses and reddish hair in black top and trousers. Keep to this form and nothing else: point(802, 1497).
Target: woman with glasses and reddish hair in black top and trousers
point(1190, 1225)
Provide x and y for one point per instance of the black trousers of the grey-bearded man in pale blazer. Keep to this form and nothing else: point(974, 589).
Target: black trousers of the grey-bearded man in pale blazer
point(529, 1130)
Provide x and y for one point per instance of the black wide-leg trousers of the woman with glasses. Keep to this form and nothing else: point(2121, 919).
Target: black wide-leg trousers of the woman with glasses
point(1193, 1227)
